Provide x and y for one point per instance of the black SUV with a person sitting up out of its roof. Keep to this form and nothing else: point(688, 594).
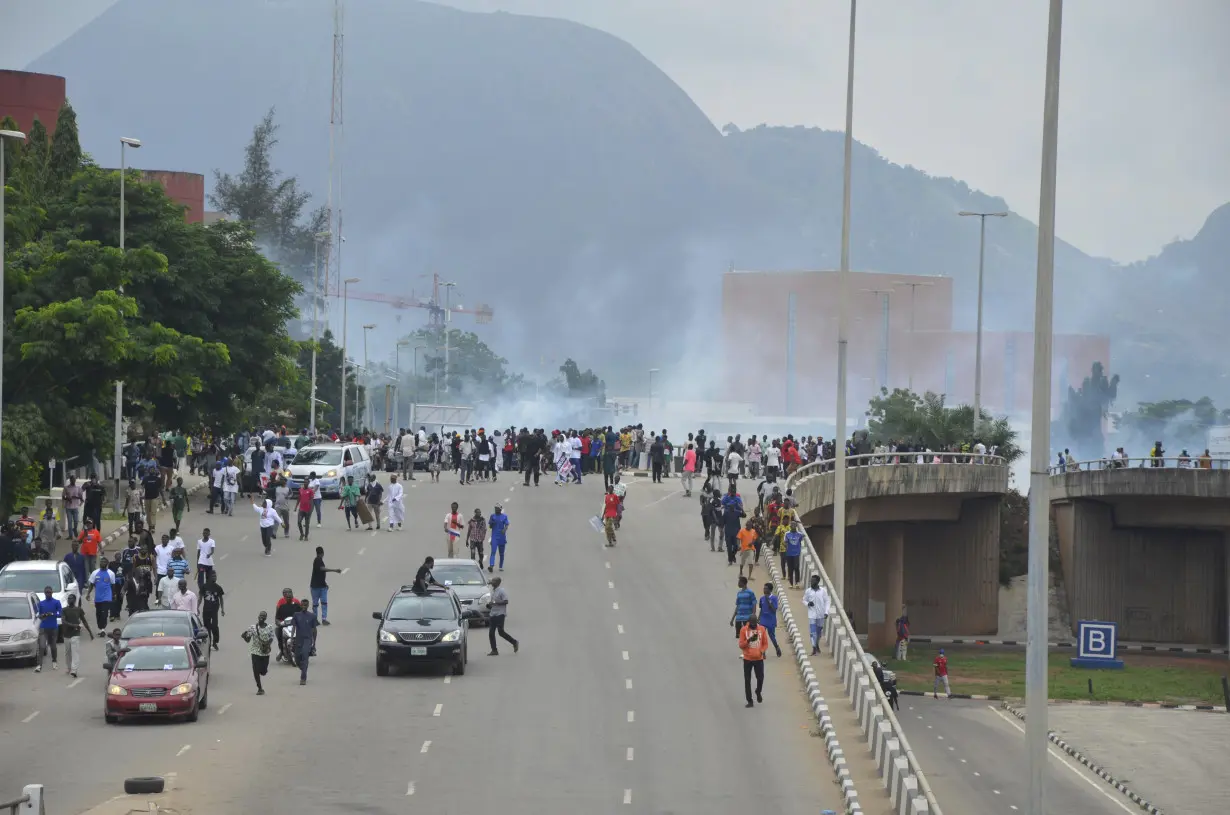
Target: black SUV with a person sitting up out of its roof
point(423, 628)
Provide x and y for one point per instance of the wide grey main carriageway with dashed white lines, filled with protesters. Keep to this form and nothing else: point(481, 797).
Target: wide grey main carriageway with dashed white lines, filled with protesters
point(627, 695)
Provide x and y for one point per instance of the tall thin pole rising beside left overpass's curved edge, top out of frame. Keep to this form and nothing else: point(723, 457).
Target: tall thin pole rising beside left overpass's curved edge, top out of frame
point(839, 495)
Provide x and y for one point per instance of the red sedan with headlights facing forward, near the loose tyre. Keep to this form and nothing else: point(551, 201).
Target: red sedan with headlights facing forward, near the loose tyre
point(158, 678)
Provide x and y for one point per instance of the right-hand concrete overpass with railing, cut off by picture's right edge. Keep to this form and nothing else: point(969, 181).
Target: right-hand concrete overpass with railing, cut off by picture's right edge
point(1145, 544)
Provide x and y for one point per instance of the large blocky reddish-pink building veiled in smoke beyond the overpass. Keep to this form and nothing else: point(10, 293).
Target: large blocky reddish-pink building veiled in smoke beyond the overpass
point(783, 329)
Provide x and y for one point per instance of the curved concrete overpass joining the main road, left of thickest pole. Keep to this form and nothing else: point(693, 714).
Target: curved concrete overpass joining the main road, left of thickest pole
point(922, 535)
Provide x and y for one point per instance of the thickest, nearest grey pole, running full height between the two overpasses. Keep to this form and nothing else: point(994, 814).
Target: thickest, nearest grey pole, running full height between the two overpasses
point(1040, 439)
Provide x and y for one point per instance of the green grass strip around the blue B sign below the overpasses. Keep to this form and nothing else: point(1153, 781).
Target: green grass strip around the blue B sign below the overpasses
point(1172, 680)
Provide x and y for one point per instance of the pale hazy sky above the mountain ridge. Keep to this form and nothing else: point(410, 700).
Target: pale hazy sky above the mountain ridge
point(950, 87)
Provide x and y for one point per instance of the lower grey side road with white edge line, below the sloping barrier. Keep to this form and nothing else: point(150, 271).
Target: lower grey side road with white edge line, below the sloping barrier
point(975, 758)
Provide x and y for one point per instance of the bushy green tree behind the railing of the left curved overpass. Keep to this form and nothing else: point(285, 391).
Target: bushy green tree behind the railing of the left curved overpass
point(906, 417)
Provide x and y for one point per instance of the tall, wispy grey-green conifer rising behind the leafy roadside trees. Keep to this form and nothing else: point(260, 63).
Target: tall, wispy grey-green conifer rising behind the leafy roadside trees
point(272, 205)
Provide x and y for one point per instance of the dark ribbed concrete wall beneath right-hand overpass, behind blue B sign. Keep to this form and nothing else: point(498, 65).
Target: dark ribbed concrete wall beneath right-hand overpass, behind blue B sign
point(1162, 585)
